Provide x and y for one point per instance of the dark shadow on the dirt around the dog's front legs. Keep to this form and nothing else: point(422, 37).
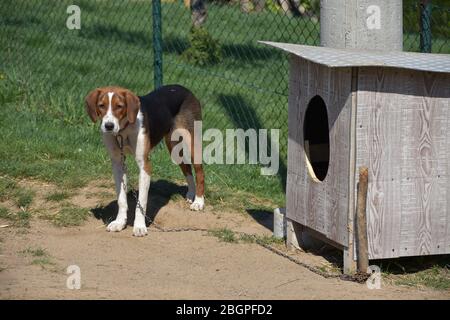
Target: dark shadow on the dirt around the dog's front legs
point(161, 191)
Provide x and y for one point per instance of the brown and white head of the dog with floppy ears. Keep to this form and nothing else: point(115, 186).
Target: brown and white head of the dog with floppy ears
point(114, 106)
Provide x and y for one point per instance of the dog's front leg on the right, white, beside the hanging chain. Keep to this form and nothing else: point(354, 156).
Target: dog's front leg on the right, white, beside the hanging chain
point(142, 152)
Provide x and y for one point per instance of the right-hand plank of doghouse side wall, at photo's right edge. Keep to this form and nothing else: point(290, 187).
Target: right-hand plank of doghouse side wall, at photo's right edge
point(424, 164)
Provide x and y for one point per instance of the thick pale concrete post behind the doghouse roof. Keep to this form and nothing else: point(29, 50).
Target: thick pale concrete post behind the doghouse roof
point(362, 24)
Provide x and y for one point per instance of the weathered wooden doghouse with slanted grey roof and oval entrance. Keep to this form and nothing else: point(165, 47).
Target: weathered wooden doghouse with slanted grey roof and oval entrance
point(389, 111)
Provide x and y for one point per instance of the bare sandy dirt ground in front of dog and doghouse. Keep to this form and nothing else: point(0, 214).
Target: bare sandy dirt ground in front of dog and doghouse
point(184, 265)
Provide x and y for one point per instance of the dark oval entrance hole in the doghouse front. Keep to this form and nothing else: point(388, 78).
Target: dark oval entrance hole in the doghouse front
point(316, 137)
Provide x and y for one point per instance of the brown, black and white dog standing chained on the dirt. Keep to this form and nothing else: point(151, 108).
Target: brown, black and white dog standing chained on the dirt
point(142, 122)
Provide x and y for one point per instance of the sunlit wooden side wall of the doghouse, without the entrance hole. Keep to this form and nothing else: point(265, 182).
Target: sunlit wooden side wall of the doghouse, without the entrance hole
point(402, 136)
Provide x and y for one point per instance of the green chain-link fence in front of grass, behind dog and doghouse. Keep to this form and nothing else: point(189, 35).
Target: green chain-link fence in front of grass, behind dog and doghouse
point(240, 82)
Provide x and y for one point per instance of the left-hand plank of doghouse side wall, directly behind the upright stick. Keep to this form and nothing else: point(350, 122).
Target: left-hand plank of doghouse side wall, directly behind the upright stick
point(378, 148)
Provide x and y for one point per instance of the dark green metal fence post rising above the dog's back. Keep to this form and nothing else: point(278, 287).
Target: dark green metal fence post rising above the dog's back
point(157, 44)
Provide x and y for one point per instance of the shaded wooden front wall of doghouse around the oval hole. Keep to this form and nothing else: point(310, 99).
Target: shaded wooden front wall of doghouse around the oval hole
point(321, 206)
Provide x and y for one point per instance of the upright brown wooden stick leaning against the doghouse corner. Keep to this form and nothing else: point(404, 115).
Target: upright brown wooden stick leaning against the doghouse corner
point(361, 224)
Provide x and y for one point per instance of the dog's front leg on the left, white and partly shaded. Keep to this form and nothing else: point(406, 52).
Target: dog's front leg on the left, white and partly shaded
point(120, 179)
